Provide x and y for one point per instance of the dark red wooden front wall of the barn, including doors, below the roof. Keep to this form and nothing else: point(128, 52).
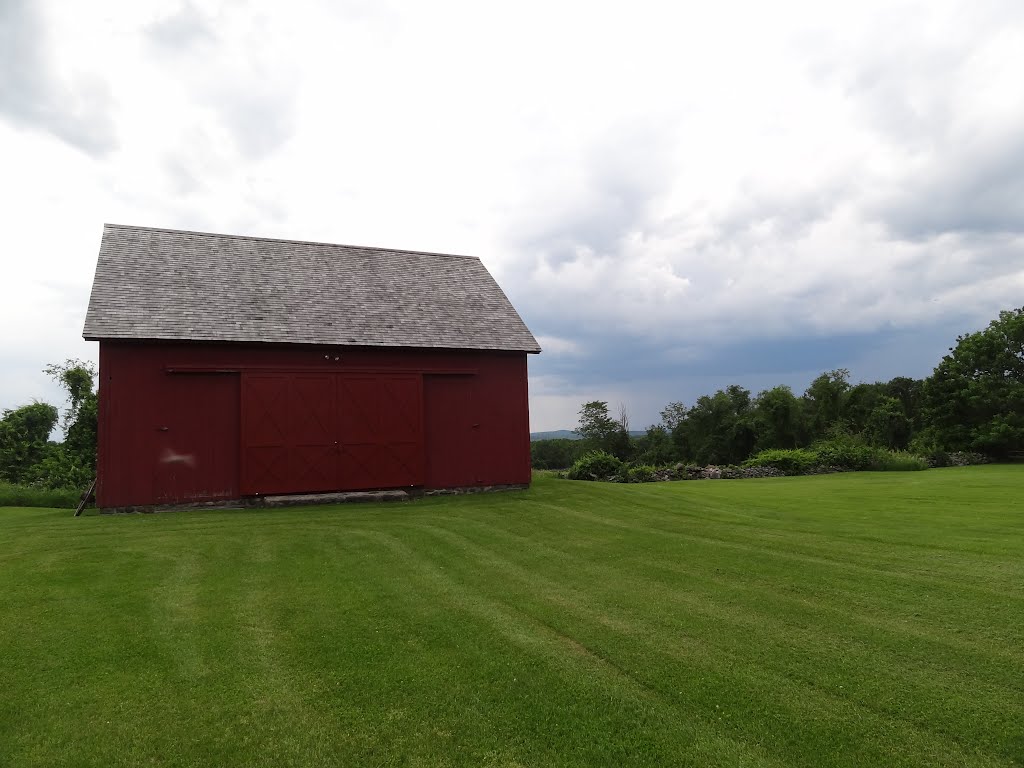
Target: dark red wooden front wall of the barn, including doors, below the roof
point(187, 422)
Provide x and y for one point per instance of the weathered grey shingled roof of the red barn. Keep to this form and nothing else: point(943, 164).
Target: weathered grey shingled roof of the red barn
point(168, 284)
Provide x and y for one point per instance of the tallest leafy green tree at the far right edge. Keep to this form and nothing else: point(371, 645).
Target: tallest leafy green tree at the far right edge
point(974, 401)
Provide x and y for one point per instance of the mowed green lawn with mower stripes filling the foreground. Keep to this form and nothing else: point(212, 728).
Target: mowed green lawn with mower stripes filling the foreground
point(870, 620)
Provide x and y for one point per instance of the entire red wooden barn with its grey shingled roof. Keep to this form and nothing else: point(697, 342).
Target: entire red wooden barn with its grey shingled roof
point(235, 367)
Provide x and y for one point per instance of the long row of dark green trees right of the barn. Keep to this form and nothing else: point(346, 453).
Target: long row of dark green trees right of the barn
point(973, 402)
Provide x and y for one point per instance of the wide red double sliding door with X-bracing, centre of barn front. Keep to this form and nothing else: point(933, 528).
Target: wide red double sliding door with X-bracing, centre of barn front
point(315, 433)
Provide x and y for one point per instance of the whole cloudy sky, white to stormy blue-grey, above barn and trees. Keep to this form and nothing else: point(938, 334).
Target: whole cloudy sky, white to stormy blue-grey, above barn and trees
point(676, 196)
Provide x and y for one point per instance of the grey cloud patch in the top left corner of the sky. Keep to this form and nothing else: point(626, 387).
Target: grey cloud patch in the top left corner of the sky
point(31, 96)
